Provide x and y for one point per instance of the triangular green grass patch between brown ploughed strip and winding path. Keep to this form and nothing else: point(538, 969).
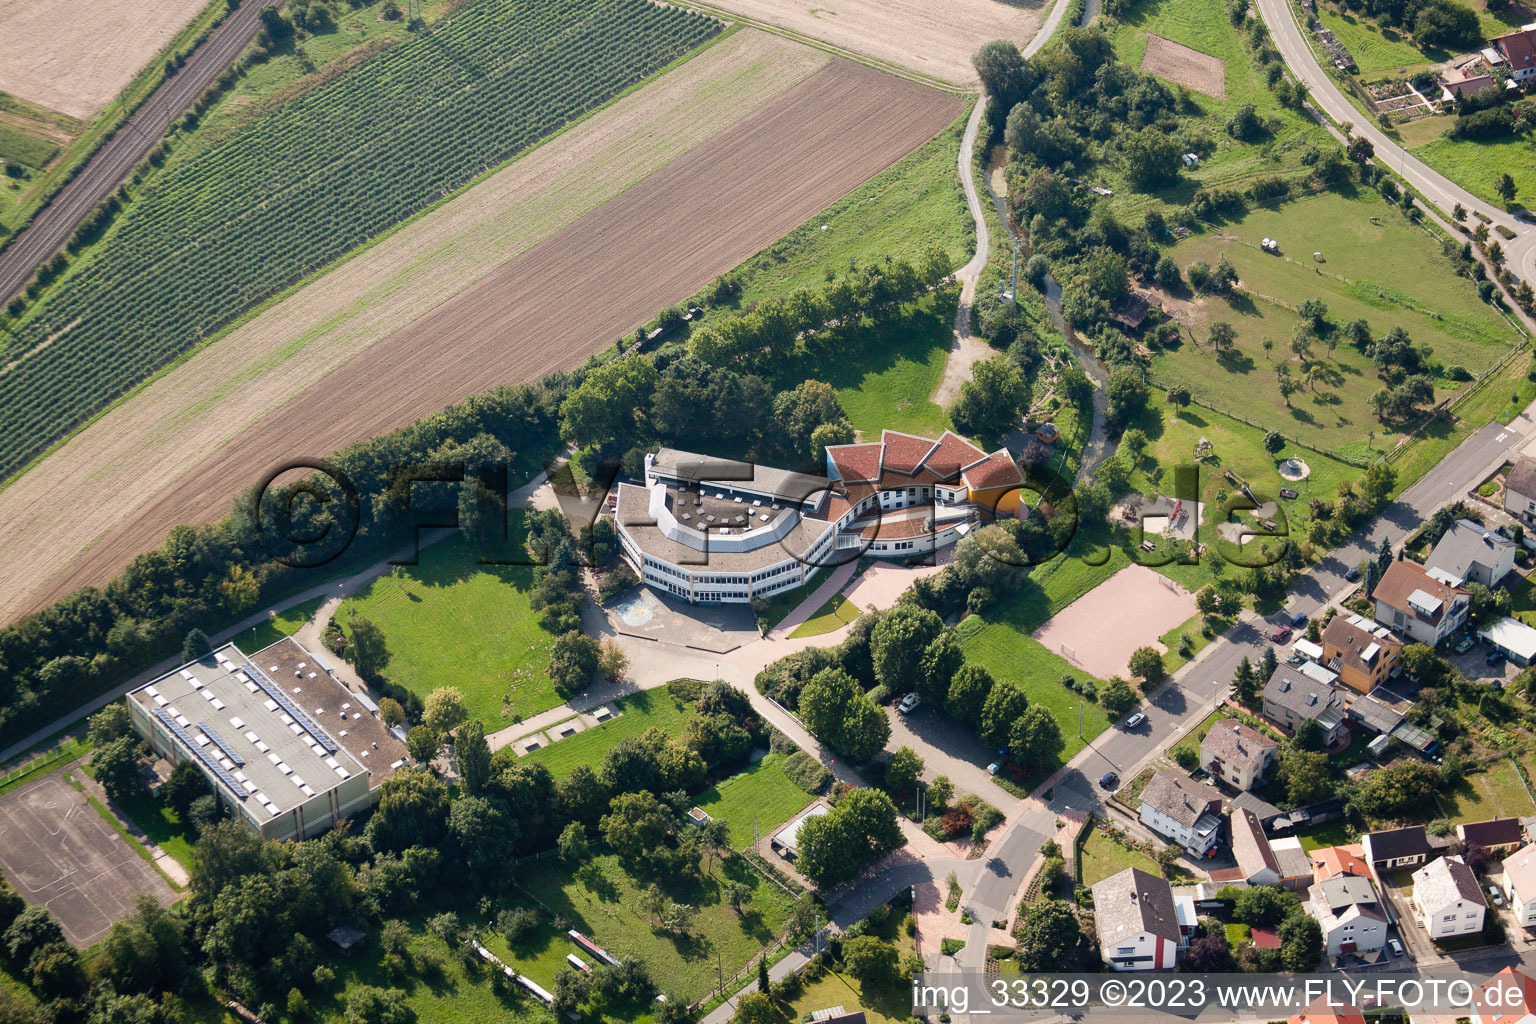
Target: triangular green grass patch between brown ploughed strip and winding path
point(901, 213)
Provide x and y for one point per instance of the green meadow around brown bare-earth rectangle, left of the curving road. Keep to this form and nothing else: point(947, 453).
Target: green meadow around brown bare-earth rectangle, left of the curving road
point(1203, 25)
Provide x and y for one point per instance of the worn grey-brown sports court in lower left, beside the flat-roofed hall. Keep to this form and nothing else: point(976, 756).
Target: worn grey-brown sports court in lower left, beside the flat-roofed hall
point(62, 854)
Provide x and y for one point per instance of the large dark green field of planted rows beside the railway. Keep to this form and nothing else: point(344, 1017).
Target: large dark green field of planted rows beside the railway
point(310, 182)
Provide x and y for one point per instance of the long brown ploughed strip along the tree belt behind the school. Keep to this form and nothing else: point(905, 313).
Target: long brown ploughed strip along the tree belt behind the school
point(569, 297)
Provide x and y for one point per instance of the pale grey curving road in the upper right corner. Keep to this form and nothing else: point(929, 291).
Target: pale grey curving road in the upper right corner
point(1438, 190)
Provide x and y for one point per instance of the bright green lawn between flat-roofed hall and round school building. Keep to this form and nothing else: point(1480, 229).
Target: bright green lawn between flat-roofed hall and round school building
point(454, 623)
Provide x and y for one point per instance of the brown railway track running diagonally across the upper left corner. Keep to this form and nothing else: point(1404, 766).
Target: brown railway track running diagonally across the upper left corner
point(111, 165)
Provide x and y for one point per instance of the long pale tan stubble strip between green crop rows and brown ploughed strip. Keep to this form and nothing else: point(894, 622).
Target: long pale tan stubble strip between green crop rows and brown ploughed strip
point(148, 441)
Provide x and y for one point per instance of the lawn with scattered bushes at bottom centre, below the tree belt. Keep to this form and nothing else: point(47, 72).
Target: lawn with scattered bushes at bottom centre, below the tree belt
point(603, 900)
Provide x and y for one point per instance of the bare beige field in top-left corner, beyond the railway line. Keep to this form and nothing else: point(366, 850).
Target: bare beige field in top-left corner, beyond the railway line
point(76, 56)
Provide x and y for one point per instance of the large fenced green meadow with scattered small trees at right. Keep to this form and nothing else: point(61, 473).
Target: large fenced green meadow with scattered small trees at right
point(1369, 254)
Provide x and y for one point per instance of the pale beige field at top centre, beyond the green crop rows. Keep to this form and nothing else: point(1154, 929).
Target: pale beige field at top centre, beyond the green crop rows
point(935, 38)
